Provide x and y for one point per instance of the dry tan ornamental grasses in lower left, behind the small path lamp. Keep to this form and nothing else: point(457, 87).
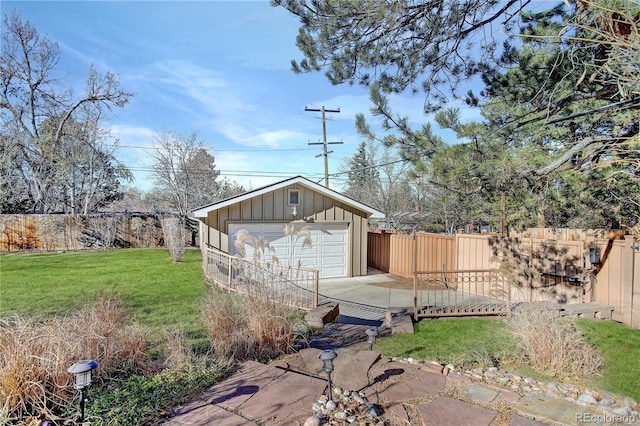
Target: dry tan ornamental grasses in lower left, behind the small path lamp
point(36, 353)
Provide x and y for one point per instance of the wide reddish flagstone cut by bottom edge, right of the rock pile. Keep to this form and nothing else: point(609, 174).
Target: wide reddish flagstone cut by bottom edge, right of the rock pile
point(446, 411)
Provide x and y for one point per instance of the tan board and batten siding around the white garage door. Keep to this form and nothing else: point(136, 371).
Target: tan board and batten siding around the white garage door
point(272, 207)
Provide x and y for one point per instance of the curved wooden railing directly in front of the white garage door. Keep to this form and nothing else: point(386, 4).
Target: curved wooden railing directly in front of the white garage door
point(285, 284)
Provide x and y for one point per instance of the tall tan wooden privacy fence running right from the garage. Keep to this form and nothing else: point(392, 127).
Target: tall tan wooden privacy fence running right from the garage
point(540, 269)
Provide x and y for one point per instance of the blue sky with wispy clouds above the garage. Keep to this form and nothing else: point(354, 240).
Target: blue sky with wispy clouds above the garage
point(220, 68)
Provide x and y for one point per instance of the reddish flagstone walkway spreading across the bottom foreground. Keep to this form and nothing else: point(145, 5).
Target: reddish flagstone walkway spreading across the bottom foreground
point(283, 392)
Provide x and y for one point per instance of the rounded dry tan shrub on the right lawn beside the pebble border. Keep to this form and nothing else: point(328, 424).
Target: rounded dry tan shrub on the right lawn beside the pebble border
point(551, 344)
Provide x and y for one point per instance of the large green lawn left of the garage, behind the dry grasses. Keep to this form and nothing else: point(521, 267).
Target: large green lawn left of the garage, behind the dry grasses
point(158, 293)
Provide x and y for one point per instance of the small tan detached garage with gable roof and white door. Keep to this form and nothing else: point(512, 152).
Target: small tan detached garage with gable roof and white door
point(337, 225)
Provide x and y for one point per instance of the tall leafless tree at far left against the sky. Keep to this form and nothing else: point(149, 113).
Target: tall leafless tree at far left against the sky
point(39, 115)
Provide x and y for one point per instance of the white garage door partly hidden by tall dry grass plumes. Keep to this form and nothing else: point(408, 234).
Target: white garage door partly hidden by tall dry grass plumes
point(327, 254)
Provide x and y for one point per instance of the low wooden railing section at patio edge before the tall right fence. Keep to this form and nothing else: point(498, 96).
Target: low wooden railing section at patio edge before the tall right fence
point(461, 293)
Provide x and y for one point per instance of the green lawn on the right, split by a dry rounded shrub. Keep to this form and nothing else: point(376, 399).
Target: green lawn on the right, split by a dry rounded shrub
point(482, 340)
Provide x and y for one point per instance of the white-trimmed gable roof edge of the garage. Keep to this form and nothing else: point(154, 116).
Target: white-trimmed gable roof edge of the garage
point(204, 211)
